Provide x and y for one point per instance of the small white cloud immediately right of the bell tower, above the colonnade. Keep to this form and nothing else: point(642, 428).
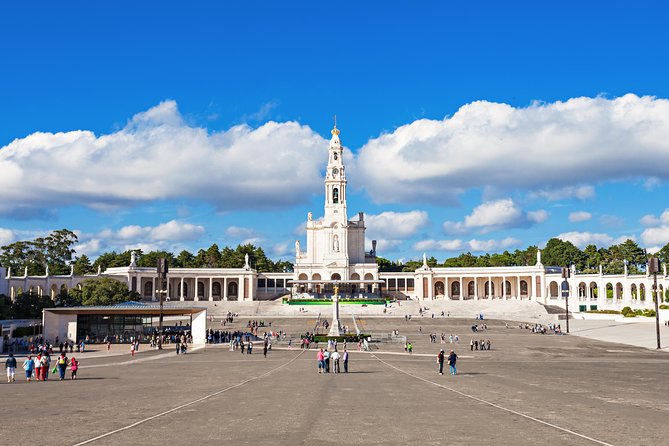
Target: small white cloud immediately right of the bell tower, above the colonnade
point(395, 225)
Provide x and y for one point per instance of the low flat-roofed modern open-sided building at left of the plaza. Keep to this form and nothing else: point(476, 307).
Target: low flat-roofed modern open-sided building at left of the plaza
point(123, 320)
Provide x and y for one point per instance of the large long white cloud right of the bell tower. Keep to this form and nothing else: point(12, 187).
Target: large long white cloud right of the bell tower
point(550, 147)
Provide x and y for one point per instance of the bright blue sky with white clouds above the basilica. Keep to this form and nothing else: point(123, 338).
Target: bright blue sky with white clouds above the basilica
point(478, 126)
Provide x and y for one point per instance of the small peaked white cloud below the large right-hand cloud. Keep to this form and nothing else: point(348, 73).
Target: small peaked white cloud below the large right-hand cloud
point(493, 215)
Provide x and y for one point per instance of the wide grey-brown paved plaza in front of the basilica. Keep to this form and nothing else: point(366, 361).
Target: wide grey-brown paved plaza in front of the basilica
point(529, 389)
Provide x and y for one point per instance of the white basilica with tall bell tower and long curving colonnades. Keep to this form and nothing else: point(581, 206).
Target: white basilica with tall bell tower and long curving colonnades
point(334, 256)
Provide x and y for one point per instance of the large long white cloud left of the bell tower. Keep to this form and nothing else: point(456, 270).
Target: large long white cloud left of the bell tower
point(158, 156)
